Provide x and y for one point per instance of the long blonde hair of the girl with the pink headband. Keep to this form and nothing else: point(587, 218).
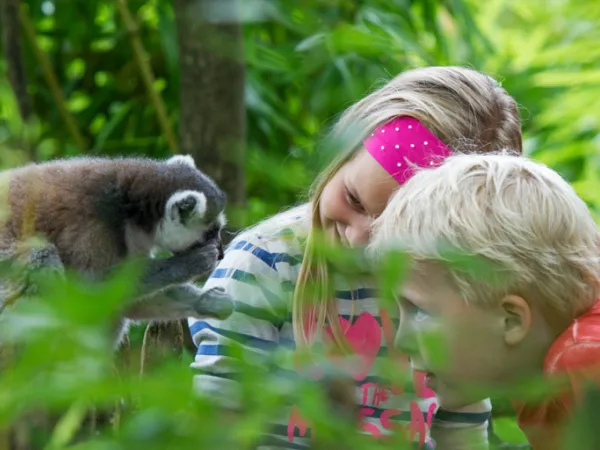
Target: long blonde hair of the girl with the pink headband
point(464, 108)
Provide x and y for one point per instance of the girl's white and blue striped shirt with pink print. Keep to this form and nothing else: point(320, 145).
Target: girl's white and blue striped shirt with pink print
point(259, 271)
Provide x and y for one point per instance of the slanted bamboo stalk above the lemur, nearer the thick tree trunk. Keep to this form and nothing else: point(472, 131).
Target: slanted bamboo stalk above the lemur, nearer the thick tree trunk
point(147, 74)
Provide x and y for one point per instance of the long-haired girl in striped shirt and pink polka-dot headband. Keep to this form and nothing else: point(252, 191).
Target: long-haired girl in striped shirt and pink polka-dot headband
point(426, 113)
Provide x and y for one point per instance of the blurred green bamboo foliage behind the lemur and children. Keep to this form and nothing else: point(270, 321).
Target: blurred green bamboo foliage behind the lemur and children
point(306, 62)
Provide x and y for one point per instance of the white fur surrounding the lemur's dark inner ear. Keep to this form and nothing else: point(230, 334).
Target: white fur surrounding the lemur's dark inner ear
point(172, 234)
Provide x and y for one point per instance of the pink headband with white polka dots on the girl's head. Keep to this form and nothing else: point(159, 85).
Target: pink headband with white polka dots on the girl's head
point(402, 144)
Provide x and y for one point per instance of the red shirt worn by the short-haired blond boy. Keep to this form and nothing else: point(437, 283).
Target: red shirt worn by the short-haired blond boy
point(575, 355)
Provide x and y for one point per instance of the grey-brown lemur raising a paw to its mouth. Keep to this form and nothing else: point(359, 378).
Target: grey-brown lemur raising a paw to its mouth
point(97, 212)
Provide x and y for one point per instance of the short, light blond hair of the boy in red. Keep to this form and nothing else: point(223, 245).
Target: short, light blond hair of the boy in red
point(514, 216)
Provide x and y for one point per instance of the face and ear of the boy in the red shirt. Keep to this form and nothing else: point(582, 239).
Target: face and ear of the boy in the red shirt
point(466, 350)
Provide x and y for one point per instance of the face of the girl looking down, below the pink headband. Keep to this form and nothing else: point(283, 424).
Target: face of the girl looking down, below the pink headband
point(356, 195)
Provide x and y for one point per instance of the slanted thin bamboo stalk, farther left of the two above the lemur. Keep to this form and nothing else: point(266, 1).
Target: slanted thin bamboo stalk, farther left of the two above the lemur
point(50, 77)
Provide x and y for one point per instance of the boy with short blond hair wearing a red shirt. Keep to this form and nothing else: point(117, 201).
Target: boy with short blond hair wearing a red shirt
point(525, 301)
